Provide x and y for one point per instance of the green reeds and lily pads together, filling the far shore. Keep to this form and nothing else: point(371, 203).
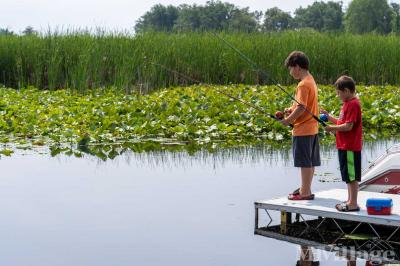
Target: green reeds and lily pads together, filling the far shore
point(82, 93)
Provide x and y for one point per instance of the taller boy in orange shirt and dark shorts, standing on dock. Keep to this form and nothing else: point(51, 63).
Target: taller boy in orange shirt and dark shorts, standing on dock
point(305, 143)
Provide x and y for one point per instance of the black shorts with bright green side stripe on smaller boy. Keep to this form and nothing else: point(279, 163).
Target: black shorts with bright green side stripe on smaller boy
point(350, 165)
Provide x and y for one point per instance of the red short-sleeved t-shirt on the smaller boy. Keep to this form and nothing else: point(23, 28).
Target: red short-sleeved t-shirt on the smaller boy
point(350, 113)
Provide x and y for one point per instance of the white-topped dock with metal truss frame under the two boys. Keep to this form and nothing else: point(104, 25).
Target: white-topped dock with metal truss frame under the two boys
point(318, 221)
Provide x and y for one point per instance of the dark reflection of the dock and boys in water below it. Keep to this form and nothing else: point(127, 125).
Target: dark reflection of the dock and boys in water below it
point(328, 244)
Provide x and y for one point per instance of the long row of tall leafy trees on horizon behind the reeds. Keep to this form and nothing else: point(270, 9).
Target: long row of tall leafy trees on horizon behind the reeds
point(361, 16)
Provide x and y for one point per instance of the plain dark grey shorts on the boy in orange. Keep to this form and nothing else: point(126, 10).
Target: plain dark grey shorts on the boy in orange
point(306, 151)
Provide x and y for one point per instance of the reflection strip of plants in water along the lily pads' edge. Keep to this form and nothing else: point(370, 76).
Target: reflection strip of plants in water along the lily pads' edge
point(173, 154)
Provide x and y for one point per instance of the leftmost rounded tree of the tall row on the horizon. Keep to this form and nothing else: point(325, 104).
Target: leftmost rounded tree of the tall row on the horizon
point(159, 18)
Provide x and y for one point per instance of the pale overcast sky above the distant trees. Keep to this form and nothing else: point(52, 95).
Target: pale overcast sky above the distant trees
point(117, 15)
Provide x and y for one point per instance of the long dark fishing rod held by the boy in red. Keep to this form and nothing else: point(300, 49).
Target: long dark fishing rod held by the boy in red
point(259, 69)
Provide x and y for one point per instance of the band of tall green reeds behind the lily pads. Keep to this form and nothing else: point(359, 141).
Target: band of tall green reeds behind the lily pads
point(82, 61)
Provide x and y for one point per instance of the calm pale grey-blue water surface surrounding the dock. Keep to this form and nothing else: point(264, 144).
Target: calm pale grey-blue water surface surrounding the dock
point(157, 208)
